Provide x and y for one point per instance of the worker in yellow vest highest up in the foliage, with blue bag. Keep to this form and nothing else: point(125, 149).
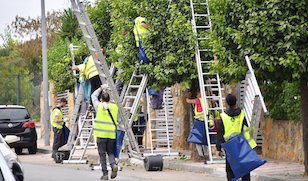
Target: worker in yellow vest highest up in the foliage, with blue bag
point(141, 31)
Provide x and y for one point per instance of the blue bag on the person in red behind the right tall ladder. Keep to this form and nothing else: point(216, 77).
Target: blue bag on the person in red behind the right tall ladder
point(197, 134)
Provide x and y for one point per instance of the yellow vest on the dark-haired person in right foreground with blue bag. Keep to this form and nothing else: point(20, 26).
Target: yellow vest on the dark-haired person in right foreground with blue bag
point(233, 127)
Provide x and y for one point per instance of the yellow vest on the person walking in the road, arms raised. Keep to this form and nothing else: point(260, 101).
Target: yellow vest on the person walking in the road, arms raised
point(103, 126)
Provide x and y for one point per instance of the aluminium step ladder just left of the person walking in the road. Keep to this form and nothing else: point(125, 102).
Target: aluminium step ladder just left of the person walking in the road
point(83, 140)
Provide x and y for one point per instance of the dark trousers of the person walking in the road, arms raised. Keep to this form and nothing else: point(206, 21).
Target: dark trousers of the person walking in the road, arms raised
point(106, 145)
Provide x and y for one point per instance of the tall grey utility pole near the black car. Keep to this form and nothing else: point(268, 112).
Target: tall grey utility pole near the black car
point(45, 76)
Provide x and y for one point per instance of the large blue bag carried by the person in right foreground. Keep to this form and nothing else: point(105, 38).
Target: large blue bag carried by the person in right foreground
point(241, 157)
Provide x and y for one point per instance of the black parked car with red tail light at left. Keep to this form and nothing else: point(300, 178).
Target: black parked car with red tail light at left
point(16, 120)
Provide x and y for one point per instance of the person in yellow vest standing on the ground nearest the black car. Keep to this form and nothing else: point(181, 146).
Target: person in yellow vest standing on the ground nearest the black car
point(57, 122)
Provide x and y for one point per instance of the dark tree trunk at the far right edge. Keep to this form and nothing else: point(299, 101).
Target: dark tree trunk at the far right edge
point(304, 107)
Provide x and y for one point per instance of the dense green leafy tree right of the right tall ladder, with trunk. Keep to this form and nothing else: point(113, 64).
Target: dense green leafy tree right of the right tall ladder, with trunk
point(276, 35)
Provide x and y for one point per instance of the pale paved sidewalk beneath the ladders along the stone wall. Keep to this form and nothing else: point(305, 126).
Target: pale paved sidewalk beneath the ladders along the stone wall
point(273, 170)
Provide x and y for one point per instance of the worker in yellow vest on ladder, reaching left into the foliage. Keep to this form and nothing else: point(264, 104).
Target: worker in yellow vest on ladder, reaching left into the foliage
point(89, 70)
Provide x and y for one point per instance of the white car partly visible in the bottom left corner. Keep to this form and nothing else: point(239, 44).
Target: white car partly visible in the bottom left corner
point(10, 157)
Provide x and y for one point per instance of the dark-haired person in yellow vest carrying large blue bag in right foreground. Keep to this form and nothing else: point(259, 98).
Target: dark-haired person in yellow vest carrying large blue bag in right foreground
point(233, 123)
